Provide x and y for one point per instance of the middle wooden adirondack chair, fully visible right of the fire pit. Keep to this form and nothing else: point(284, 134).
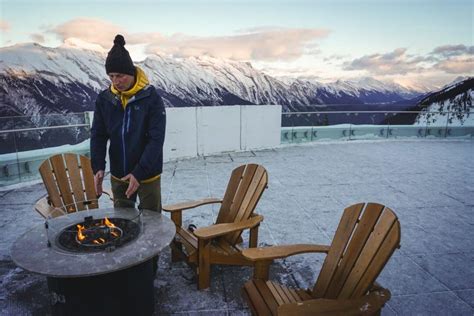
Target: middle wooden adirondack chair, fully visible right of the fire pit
point(218, 243)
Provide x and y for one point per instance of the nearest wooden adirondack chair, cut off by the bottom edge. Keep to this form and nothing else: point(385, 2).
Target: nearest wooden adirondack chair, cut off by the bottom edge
point(365, 239)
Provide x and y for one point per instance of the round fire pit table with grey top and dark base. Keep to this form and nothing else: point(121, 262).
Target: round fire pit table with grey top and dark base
point(97, 262)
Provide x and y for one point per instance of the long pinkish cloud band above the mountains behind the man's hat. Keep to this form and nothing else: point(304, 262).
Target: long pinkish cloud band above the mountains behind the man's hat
point(263, 43)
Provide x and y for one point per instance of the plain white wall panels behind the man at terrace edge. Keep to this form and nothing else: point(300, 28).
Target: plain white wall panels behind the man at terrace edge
point(193, 131)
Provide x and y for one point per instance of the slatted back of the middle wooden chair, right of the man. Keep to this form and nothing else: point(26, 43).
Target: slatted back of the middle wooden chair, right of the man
point(243, 192)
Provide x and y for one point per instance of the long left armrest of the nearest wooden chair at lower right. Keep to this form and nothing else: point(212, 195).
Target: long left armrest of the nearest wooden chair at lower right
point(276, 252)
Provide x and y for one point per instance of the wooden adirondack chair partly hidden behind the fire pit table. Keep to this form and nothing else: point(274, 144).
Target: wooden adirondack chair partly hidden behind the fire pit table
point(68, 179)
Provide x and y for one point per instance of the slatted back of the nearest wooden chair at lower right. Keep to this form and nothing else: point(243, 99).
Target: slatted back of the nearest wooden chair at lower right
point(365, 239)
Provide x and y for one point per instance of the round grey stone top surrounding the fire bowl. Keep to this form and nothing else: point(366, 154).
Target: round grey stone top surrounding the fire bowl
point(30, 251)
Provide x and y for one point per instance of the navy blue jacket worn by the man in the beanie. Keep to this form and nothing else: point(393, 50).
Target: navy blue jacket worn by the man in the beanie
point(136, 134)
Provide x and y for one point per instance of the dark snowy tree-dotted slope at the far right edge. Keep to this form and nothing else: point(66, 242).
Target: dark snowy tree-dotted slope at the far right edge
point(456, 98)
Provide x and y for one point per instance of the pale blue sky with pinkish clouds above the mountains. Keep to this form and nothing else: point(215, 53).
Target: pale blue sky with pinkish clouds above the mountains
point(419, 42)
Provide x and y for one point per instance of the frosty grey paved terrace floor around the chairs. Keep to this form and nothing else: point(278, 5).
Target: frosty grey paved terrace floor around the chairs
point(428, 183)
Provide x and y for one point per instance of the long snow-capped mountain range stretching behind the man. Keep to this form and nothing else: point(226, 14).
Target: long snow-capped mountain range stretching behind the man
point(36, 79)
